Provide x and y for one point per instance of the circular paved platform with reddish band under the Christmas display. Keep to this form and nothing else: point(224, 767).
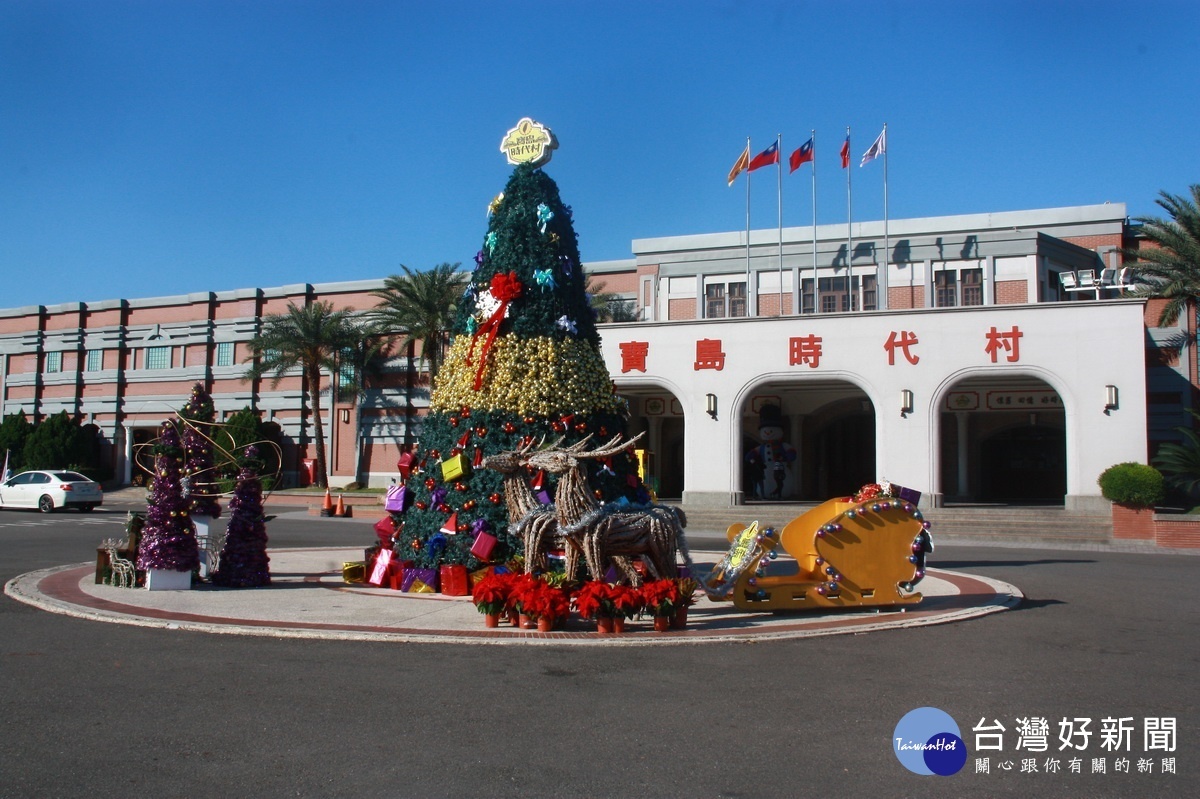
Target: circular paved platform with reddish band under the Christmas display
point(308, 599)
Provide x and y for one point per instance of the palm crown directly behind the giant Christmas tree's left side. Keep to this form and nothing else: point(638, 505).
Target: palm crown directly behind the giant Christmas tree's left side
point(422, 307)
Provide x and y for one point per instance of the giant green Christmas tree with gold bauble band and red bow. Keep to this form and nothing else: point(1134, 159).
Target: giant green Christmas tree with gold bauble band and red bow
point(525, 365)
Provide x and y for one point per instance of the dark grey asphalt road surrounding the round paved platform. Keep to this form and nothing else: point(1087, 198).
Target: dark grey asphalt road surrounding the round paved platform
point(109, 711)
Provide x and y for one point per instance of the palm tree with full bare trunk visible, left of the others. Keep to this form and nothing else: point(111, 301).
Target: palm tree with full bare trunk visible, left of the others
point(311, 338)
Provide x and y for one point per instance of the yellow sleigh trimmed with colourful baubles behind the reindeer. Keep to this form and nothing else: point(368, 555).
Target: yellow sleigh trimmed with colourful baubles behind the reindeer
point(848, 555)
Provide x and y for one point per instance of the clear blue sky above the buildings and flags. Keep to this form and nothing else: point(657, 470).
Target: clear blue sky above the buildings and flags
point(166, 147)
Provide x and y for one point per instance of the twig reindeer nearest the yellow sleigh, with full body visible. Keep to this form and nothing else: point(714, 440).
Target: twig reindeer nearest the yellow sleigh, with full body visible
point(610, 532)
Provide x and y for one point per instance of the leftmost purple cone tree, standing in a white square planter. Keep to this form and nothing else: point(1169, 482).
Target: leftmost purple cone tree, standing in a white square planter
point(169, 539)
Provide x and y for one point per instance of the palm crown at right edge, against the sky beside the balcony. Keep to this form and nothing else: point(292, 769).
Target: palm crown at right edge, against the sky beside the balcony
point(1172, 265)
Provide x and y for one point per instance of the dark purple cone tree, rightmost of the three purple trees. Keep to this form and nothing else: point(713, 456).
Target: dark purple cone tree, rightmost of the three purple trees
point(244, 561)
